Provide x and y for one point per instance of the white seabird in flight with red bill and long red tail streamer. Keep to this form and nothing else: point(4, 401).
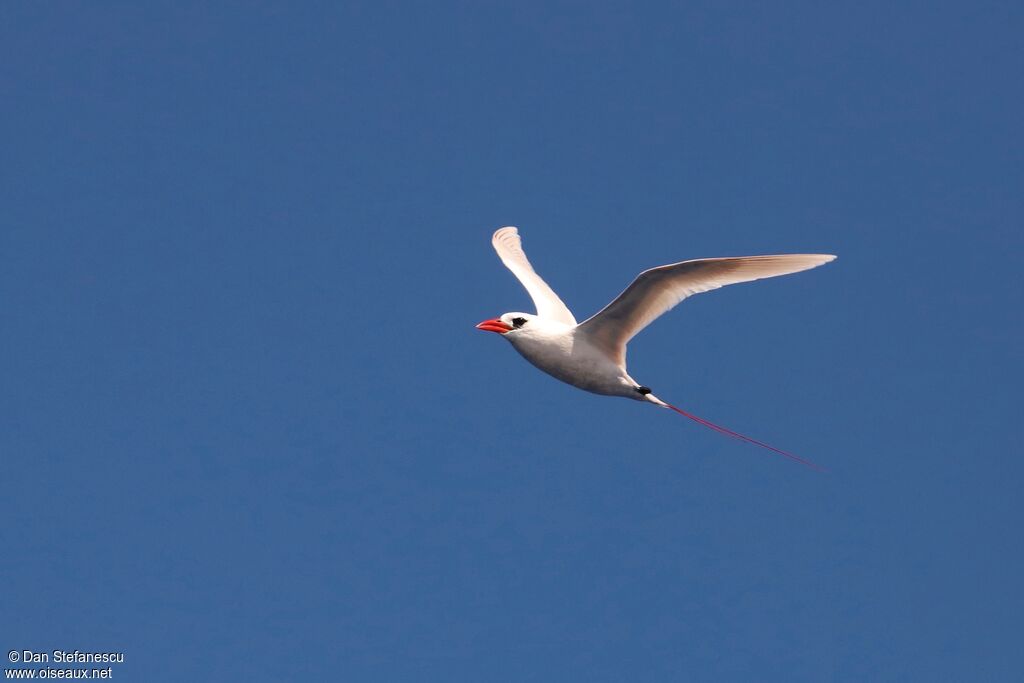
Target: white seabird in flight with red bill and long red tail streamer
point(591, 355)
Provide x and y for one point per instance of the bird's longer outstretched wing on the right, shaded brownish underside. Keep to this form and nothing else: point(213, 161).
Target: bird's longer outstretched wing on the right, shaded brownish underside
point(657, 291)
